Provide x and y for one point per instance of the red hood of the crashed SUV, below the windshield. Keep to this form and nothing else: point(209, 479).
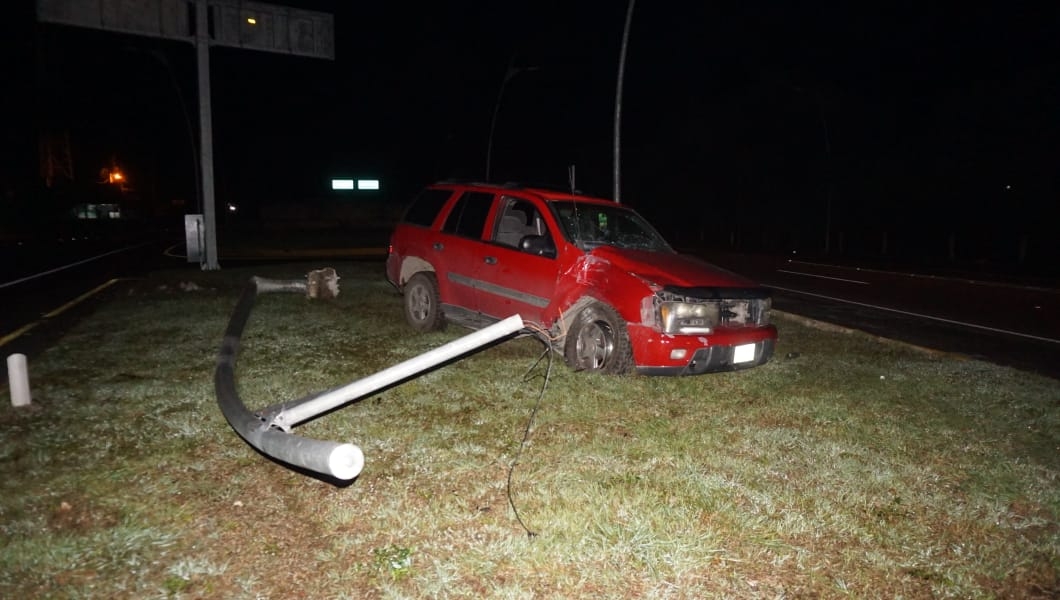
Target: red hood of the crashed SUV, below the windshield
point(672, 269)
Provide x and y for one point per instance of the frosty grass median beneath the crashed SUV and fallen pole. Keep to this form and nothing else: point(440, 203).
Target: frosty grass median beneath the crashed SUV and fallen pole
point(847, 467)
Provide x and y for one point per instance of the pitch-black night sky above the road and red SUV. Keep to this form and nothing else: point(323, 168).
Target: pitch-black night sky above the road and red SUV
point(906, 115)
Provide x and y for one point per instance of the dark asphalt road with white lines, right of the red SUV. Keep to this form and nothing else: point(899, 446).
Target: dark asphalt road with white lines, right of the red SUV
point(1008, 323)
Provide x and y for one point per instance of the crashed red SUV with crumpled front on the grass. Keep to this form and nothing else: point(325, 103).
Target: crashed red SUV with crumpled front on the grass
point(590, 274)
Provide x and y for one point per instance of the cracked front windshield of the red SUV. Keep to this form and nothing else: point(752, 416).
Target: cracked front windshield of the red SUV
point(589, 226)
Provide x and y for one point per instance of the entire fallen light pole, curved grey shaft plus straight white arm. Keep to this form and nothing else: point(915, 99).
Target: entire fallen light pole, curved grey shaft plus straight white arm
point(269, 430)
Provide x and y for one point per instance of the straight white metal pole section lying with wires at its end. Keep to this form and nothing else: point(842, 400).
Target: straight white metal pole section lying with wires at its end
point(334, 399)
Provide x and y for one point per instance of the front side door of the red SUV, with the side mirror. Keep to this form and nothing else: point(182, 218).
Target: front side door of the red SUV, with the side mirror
point(516, 273)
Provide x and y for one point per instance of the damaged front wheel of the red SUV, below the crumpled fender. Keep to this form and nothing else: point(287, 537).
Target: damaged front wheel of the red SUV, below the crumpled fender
point(599, 342)
